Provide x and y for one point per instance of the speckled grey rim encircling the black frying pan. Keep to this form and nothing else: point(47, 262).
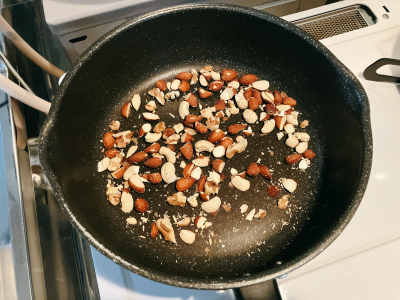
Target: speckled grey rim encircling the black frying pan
point(186, 282)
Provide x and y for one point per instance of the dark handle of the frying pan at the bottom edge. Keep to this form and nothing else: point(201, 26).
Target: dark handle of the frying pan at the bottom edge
point(267, 290)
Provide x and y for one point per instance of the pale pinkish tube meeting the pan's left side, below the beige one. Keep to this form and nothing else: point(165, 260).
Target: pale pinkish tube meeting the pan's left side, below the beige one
point(23, 95)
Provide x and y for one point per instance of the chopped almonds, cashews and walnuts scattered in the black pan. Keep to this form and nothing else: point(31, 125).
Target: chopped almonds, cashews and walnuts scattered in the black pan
point(247, 95)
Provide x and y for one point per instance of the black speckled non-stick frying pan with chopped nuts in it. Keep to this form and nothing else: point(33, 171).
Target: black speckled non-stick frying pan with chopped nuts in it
point(159, 45)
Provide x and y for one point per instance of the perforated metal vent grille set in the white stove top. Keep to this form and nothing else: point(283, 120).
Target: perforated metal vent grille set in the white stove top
point(336, 22)
